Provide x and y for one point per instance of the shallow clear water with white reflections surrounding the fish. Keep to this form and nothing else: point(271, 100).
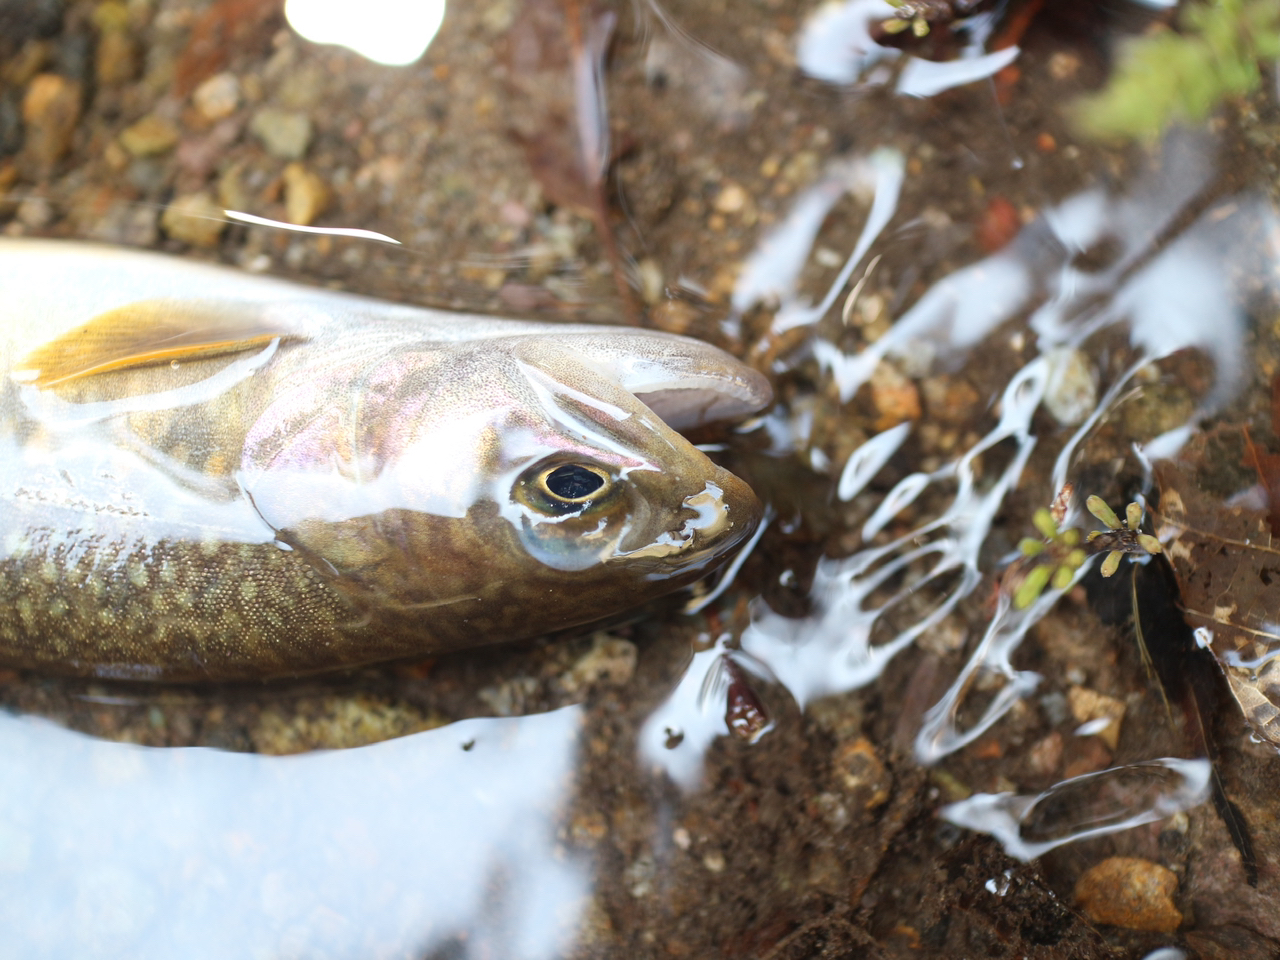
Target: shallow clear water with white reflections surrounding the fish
point(564, 799)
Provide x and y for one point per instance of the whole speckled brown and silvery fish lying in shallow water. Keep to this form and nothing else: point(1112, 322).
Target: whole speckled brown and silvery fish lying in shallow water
point(212, 476)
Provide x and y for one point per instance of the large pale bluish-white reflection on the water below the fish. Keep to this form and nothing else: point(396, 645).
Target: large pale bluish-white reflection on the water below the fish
point(380, 852)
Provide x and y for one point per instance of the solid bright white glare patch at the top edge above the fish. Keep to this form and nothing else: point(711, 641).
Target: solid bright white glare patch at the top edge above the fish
point(394, 33)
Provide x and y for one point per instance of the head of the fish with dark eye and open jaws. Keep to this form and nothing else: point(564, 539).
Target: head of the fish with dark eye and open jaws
point(522, 486)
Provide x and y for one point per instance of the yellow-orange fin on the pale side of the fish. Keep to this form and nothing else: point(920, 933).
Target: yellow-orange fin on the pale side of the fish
point(149, 333)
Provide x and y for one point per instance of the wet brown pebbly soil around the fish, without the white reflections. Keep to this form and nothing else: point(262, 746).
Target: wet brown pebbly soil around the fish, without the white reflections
point(821, 839)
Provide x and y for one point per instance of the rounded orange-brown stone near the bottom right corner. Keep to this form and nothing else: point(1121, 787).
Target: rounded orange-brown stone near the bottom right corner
point(1131, 893)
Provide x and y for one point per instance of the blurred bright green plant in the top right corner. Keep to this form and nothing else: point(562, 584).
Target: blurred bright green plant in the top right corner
point(1183, 76)
